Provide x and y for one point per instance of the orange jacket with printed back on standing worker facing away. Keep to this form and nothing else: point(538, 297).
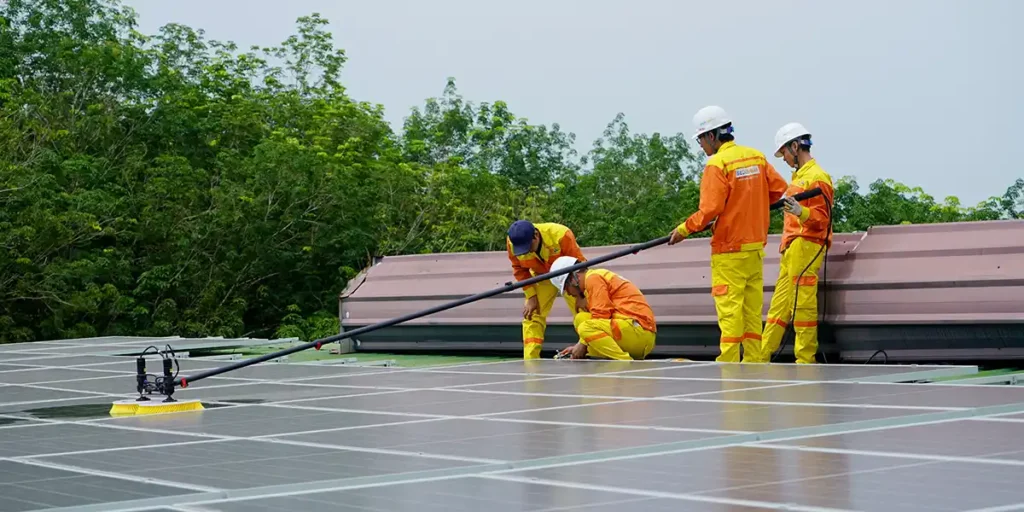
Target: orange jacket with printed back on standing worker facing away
point(738, 187)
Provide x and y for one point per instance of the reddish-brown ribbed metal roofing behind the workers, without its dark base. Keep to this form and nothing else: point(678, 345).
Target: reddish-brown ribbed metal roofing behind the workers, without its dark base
point(966, 273)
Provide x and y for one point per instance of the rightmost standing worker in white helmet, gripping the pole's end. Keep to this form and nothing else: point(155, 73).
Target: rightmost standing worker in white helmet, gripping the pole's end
point(806, 237)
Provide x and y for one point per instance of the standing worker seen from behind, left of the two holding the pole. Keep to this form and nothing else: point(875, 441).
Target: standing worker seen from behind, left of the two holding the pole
point(737, 189)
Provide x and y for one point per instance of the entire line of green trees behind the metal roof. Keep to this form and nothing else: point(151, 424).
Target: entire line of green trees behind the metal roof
point(170, 185)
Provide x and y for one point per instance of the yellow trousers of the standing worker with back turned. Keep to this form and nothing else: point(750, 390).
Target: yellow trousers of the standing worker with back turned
point(738, 286)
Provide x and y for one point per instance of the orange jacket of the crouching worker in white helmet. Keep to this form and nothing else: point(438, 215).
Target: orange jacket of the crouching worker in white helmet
point(612, 296)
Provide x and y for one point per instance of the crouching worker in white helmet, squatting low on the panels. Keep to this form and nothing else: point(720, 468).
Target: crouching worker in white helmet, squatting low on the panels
point(613, 318)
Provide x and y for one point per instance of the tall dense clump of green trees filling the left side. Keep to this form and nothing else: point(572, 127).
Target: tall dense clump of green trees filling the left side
point(173, 186)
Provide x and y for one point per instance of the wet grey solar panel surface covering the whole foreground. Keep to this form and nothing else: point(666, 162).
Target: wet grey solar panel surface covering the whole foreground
point(508, 436)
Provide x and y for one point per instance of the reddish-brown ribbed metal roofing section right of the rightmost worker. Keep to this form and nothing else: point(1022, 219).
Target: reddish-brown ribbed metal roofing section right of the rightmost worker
point(933, 274)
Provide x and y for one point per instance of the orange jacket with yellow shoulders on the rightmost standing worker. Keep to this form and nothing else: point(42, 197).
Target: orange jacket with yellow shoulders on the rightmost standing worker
point(814, 222)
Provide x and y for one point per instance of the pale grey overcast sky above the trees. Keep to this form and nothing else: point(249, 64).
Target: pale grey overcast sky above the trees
point(924, 92)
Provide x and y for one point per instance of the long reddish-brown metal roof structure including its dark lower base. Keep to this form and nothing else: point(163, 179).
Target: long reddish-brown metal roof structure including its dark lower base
point(938, 289)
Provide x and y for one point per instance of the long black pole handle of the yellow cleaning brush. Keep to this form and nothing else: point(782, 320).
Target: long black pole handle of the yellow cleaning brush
point(185, 381)
